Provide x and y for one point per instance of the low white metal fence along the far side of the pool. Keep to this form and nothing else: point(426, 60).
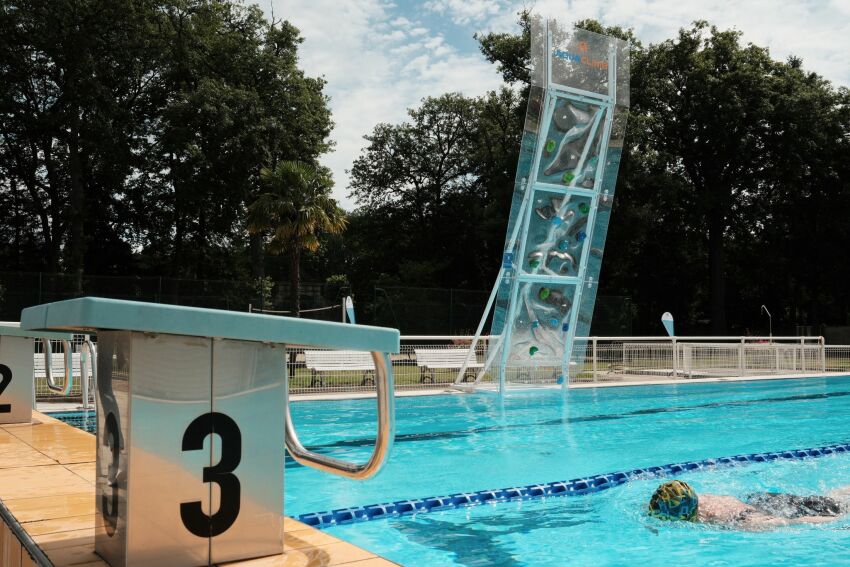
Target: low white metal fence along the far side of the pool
point(596, 359)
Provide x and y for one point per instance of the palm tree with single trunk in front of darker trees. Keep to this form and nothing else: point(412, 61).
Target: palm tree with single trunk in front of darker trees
point(295, 208)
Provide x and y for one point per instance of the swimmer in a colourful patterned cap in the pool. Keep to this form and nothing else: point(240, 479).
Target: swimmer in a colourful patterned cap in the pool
point(676, 500)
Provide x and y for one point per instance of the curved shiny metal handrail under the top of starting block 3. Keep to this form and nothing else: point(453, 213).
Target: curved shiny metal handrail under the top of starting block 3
point(383, 441)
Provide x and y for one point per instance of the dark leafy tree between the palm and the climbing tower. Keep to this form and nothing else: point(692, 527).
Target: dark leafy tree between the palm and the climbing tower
point(435, 192)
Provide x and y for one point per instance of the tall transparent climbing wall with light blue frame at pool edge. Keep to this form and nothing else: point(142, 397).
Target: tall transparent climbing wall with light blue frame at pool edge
point(564, 191)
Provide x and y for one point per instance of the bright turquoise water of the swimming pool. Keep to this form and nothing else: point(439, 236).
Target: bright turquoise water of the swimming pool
point(459, 443)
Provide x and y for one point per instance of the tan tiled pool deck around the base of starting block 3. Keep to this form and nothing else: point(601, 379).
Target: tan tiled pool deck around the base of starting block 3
point(47, 482)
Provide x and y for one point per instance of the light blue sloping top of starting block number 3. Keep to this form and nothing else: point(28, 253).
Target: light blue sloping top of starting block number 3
point(89, 314)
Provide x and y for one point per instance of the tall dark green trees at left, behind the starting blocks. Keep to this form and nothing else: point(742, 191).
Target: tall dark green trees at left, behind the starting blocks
point(142, 127)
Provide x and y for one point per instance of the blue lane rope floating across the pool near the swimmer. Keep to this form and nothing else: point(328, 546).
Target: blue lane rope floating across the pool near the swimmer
point(575, 487)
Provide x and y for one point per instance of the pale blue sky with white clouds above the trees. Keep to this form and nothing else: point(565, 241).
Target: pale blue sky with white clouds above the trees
point(381, 57)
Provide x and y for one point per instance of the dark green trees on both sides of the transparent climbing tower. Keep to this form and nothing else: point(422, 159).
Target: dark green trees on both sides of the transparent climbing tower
point(731, 189)
